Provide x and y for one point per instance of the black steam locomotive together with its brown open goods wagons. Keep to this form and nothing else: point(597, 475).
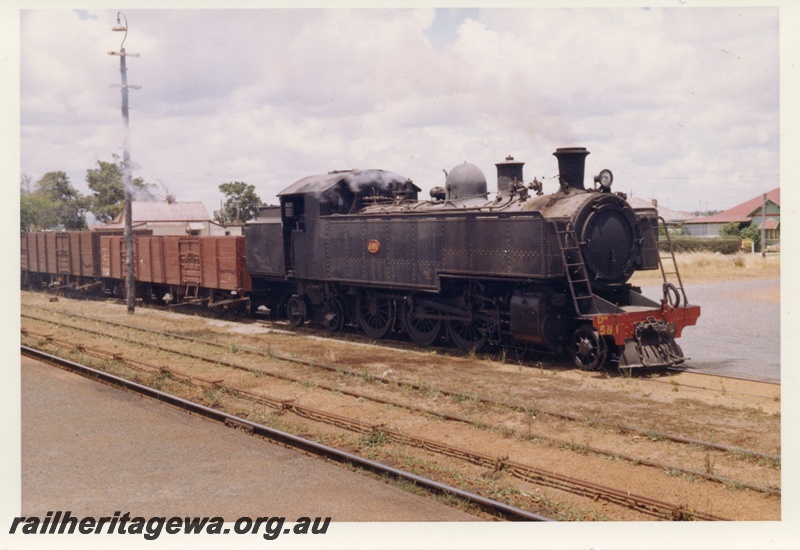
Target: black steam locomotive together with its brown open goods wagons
point(525, 271)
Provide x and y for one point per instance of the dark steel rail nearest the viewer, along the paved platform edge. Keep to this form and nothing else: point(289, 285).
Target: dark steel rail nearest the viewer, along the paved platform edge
point(490, 506)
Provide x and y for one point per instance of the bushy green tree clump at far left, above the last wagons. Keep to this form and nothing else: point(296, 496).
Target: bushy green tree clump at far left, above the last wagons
point(52, 203)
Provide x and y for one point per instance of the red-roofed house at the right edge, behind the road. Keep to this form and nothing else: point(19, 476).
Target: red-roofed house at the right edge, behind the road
point(747, 213)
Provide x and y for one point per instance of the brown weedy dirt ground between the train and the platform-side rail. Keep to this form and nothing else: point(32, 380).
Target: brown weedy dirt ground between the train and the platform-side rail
point(734, 413)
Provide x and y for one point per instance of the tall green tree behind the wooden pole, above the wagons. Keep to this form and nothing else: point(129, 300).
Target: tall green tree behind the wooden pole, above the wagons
point(106, 183)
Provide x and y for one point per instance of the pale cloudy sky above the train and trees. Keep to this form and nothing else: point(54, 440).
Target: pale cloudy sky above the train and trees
point(682, 104)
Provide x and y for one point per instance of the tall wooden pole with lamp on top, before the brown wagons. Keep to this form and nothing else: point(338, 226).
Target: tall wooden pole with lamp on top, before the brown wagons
point(130, 279)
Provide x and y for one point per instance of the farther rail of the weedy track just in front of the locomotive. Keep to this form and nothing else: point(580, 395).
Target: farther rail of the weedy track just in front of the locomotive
point(484, 400)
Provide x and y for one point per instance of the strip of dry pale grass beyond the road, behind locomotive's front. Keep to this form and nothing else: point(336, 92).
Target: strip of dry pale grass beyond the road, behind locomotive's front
point(705, 266)
